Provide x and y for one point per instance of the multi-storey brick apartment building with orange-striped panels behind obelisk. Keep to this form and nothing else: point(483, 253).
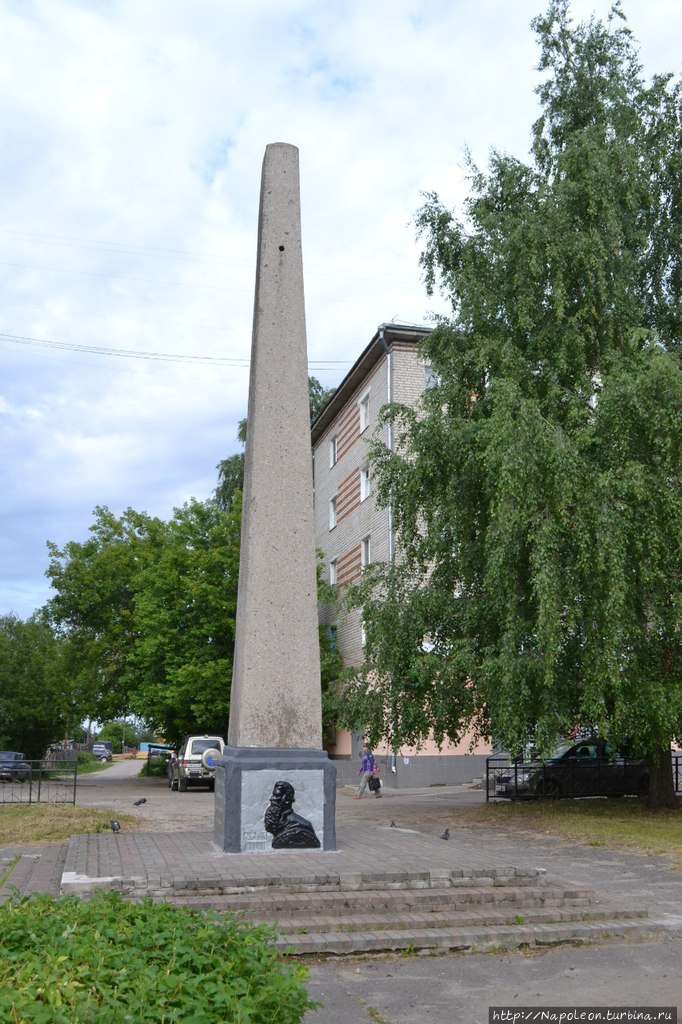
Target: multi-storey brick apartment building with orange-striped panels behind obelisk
point(352, 531)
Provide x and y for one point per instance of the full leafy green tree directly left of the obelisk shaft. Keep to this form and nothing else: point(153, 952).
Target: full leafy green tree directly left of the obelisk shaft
point(147, 612)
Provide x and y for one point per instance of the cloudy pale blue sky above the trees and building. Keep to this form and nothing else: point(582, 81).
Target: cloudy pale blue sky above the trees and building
point(133, 136)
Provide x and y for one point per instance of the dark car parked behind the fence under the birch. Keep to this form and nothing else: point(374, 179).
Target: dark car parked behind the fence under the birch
point(586, 769)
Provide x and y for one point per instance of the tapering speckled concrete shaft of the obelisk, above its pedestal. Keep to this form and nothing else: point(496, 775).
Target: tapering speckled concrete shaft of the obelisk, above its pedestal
point(276, 696)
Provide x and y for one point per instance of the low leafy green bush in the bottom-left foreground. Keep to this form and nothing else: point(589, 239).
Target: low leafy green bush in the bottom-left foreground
point(82, 962)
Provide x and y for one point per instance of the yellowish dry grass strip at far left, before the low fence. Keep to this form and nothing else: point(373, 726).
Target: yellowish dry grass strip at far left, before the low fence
point(26, 825)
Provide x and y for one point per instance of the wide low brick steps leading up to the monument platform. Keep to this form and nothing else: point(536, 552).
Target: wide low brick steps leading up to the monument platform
point(421, 912)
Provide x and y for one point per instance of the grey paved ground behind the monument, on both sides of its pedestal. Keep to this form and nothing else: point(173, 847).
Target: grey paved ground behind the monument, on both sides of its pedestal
point(119, 786)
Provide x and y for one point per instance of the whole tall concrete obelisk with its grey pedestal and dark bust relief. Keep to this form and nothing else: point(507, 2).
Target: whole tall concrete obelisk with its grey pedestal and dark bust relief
point(276, 709)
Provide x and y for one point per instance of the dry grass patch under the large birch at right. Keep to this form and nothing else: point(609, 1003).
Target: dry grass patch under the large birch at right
point(624, 825)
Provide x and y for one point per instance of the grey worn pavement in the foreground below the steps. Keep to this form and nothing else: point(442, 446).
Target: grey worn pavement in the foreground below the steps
point(459, 990)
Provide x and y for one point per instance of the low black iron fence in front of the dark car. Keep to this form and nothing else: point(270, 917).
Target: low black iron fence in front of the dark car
point(517, 780)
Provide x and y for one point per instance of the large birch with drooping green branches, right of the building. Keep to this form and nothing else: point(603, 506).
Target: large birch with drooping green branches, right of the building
point(536, 492)
